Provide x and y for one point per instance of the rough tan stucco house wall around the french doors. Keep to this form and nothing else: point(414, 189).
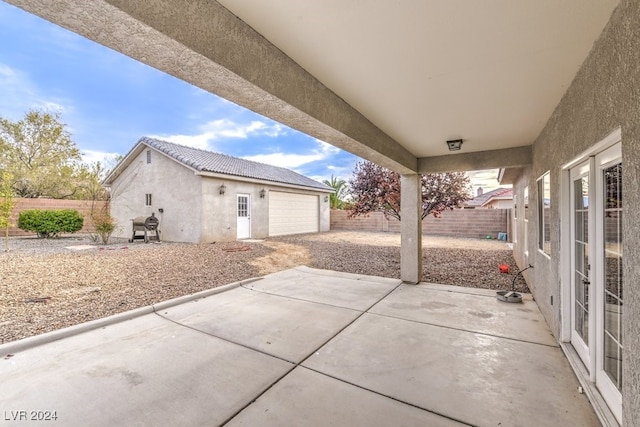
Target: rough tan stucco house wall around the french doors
point(604, 96)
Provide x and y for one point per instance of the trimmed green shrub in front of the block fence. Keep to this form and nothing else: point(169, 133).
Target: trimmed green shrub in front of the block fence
point(50, 223)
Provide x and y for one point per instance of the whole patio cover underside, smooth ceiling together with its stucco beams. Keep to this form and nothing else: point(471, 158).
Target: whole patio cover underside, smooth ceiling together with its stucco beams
point(390, 81)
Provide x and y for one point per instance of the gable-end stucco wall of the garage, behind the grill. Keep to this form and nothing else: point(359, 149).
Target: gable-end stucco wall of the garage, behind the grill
point(173, 187)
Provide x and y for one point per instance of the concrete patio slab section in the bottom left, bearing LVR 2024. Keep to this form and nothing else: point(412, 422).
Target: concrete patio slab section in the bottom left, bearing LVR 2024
point(141, 372)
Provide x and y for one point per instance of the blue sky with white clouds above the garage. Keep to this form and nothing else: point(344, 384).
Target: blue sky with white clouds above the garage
point(108, 101)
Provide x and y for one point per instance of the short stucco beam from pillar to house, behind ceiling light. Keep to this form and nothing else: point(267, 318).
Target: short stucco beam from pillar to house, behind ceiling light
point(480, 160)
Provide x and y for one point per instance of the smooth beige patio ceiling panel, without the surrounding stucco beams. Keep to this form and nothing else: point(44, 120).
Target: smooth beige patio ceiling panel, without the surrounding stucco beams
point(427, 71)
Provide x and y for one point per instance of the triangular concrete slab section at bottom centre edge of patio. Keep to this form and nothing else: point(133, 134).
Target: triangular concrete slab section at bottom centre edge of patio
point(313, 399)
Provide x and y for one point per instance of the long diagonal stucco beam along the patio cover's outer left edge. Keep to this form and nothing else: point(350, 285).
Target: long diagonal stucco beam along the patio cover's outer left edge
point(201, 42)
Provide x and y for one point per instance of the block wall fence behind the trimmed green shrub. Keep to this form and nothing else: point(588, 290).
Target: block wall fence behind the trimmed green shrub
point(82, 206)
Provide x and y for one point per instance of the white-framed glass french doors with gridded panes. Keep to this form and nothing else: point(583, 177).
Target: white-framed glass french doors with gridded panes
point(596, 271)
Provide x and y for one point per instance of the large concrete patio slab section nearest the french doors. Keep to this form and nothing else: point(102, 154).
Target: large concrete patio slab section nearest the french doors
point(473, 378)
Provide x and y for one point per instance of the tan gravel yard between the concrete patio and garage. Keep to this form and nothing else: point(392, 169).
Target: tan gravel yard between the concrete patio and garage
point(54, 283)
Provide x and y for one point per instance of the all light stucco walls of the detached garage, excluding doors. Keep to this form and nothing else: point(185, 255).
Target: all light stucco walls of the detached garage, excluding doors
point(194, 211)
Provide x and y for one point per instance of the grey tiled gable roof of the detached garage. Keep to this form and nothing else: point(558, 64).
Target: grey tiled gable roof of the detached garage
point(210, 162)
